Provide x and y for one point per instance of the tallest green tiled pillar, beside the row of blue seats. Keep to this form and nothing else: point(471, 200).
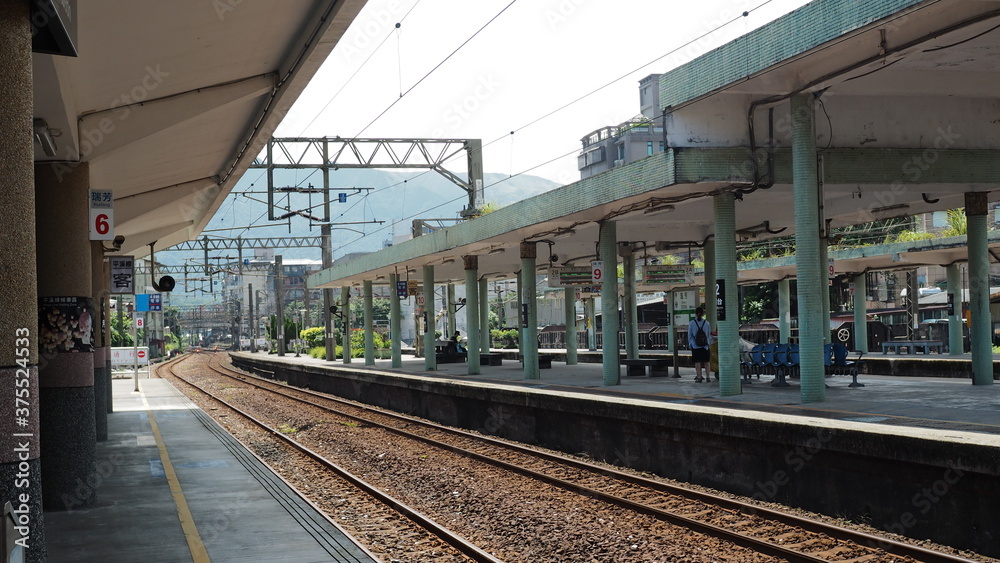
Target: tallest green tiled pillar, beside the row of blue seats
point(808, 265)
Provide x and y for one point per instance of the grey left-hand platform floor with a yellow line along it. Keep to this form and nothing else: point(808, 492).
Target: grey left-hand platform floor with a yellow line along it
point(173, 486)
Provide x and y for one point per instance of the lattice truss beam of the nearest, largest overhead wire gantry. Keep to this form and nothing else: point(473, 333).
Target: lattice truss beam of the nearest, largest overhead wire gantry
point(333, 153)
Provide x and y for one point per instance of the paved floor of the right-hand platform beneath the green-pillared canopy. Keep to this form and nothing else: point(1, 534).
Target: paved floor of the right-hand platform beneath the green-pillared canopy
point(920, 402)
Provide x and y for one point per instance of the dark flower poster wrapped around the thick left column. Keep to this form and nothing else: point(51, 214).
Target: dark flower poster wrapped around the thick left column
point(65, 324)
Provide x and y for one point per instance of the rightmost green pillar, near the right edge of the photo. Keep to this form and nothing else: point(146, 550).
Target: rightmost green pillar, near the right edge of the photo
point(981, 333)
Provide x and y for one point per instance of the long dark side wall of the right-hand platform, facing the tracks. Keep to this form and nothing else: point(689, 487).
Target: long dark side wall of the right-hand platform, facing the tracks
point(909, 484)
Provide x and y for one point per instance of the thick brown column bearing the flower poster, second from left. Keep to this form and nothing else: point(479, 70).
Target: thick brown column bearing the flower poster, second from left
point(66, 374)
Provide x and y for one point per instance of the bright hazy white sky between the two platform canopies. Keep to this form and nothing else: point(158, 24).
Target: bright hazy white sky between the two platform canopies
point(534, 58)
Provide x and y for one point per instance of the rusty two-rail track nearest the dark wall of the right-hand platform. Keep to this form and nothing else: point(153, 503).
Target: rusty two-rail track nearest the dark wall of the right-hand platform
point(785, 536)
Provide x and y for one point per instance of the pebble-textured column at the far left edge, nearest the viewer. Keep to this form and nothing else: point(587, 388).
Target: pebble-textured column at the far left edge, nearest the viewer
point(19, 321)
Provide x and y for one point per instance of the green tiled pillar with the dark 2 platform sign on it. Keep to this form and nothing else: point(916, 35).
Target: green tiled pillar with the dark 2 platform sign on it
point(728, 321)
